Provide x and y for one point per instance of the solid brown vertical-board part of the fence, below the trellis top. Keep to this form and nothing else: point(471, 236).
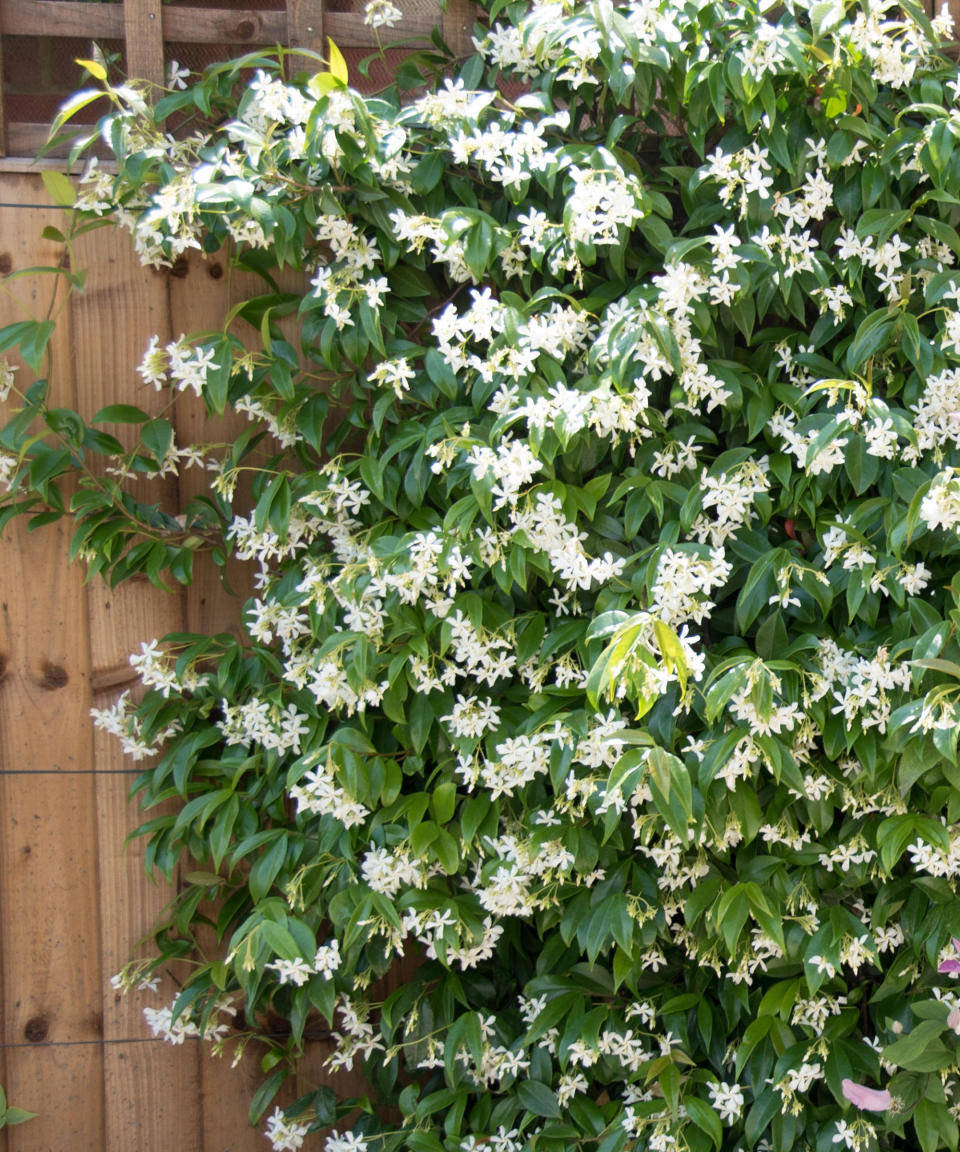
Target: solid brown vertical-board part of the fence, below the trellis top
point(73, 901)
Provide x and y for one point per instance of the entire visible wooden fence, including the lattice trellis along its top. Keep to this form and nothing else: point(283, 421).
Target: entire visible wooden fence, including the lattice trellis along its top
point(73, 901)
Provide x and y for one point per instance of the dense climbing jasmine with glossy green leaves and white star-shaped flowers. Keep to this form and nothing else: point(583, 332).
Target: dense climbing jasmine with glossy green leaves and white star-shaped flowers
point(606, 517)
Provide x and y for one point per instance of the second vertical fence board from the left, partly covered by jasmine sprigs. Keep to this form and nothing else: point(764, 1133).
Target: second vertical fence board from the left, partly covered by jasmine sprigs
point(154, 1103)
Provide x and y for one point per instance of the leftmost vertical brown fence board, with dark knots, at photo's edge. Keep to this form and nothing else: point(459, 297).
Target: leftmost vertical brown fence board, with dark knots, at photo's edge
point(49, 876)
